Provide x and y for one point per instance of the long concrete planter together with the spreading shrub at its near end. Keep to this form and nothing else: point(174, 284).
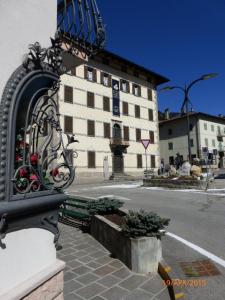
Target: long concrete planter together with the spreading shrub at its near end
point(135, 238)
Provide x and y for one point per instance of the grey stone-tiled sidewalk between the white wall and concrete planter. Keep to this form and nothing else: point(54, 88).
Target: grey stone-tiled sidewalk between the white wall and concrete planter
point(92, 274)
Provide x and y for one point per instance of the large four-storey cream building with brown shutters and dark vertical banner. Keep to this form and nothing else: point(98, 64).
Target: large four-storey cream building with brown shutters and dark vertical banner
point(110, 104)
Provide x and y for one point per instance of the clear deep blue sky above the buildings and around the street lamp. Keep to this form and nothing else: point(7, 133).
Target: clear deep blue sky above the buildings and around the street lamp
point(180, 39)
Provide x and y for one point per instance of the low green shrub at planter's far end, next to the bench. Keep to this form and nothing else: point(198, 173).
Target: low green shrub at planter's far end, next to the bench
point(104, 206)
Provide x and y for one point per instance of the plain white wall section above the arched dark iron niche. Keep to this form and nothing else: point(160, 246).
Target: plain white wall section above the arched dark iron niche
point(23, 22)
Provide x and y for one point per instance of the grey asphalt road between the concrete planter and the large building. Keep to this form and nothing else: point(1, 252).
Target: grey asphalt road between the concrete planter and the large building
point(198, 218)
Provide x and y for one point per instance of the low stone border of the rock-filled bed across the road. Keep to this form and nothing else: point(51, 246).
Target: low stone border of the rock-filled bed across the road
point(170, 183)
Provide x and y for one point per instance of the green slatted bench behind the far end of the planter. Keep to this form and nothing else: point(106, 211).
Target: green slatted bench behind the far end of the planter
point(75, 207)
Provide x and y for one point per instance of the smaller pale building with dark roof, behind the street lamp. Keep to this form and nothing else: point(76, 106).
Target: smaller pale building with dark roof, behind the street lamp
point(206, 135)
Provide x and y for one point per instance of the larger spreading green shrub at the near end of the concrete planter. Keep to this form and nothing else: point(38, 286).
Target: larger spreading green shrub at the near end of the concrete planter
point(143, 223)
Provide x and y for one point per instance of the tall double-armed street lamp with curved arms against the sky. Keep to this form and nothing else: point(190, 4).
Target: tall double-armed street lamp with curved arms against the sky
point(186, 101)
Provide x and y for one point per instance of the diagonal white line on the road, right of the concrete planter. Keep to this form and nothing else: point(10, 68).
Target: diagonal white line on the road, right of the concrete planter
point(200, 250)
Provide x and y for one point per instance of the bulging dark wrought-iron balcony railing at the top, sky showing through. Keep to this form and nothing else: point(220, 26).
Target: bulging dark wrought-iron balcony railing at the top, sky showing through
point(80, 21)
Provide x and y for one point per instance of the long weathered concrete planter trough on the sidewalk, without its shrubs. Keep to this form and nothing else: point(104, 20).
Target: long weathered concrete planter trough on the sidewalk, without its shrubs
point(141, 255)
